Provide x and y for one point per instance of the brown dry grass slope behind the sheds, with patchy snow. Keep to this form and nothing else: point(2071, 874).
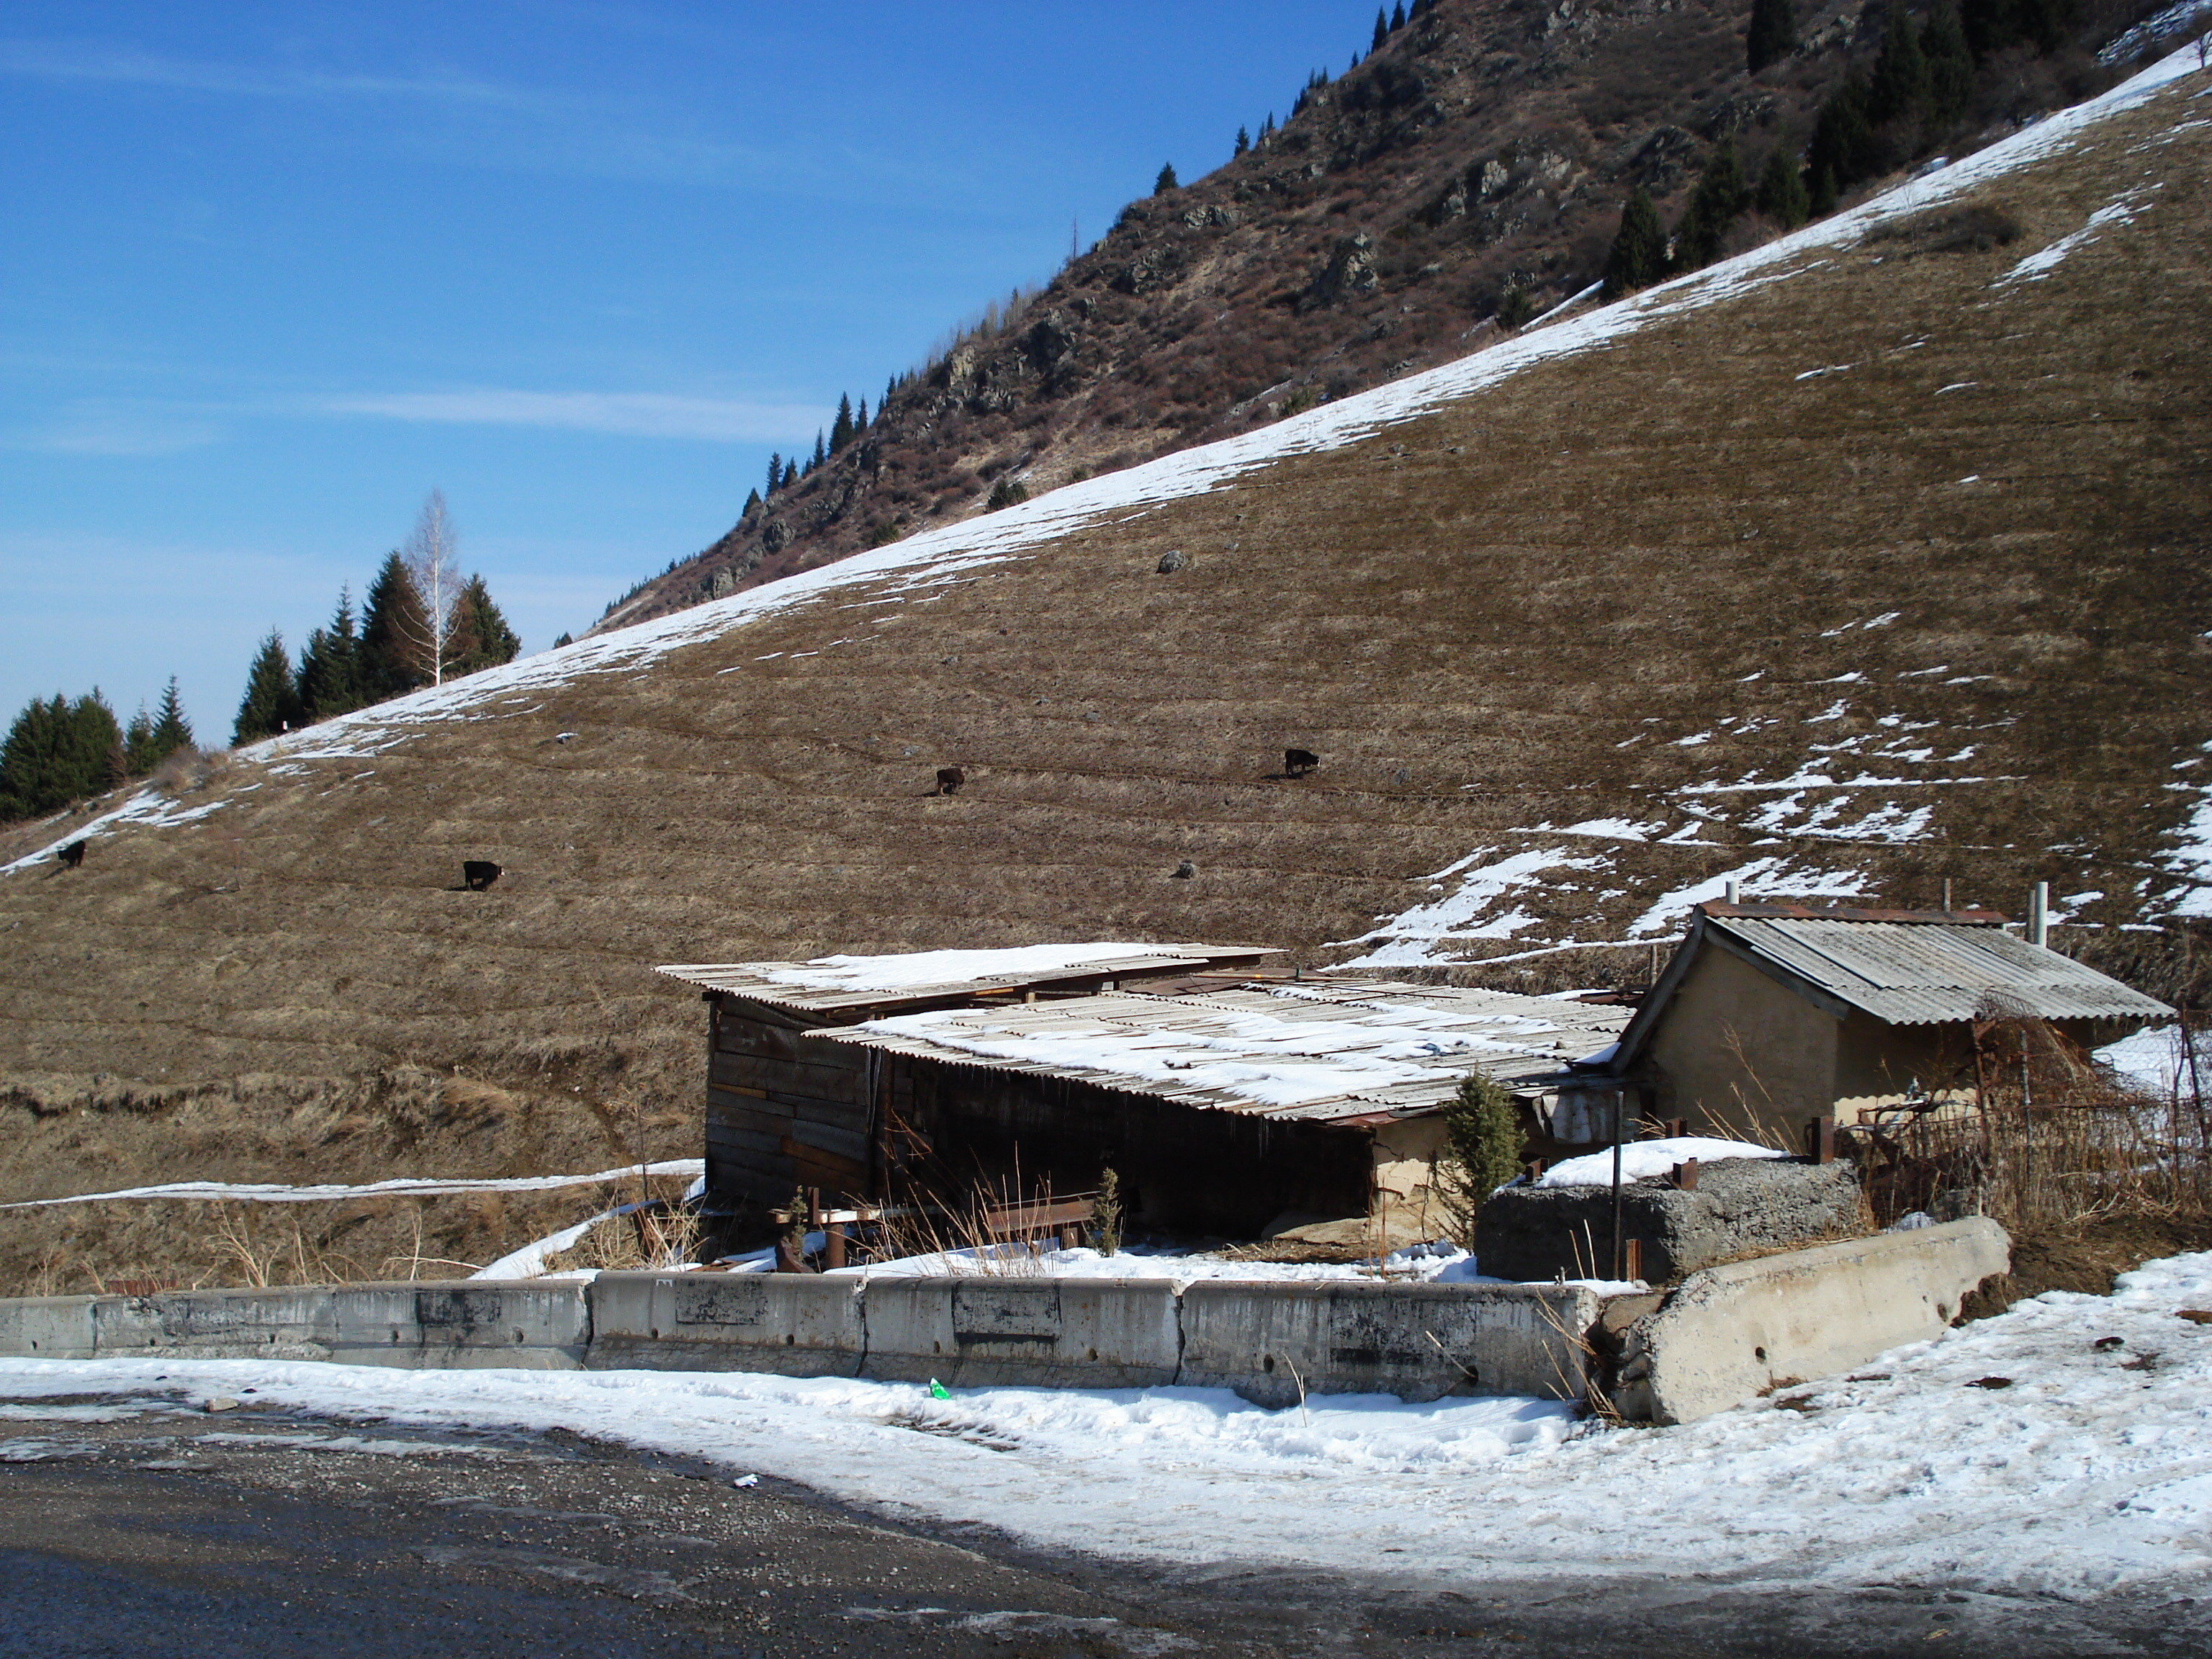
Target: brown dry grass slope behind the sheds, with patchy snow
point(1501, 616)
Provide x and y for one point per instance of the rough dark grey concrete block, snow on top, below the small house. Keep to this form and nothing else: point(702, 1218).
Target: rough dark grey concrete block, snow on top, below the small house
point(1740, 1207)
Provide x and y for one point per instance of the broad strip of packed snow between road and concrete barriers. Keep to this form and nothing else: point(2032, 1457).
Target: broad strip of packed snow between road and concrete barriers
point(2058, 1450)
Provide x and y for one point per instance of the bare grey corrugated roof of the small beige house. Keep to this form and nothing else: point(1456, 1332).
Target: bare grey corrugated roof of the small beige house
point(1934, 972)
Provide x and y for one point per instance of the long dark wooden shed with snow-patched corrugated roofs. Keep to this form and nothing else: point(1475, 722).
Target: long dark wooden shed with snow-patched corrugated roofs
point(1222, 1103)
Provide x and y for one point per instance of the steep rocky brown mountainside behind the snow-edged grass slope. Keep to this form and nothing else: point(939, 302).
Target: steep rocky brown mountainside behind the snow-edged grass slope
point(1485, 149)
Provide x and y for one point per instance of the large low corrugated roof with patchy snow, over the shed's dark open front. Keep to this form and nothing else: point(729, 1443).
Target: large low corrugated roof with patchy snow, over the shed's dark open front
point(1317, 1050)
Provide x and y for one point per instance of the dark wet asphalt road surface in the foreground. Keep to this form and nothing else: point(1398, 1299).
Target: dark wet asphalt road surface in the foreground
point(260, 1532)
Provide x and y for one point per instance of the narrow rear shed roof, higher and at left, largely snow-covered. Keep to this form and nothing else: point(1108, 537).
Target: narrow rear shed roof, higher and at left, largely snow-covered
point(851, 983)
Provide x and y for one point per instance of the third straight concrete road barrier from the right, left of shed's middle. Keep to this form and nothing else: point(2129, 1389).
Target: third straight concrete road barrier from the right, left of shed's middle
point(784, 1324)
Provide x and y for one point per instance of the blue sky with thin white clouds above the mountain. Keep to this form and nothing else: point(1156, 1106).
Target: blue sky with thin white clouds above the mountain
point(278, 271)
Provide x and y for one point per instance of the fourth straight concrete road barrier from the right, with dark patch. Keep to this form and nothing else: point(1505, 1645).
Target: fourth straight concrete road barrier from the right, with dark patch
point(519, 1324)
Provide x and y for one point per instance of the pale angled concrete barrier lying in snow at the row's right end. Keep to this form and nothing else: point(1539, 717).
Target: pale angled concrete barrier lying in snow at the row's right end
point(1735, 1333)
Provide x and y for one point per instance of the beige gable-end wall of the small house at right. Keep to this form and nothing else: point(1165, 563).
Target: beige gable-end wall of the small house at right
point(1784, 1074)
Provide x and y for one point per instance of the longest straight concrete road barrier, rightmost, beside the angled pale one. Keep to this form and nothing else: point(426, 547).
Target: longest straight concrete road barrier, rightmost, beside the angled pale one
point(1277, 1342)
